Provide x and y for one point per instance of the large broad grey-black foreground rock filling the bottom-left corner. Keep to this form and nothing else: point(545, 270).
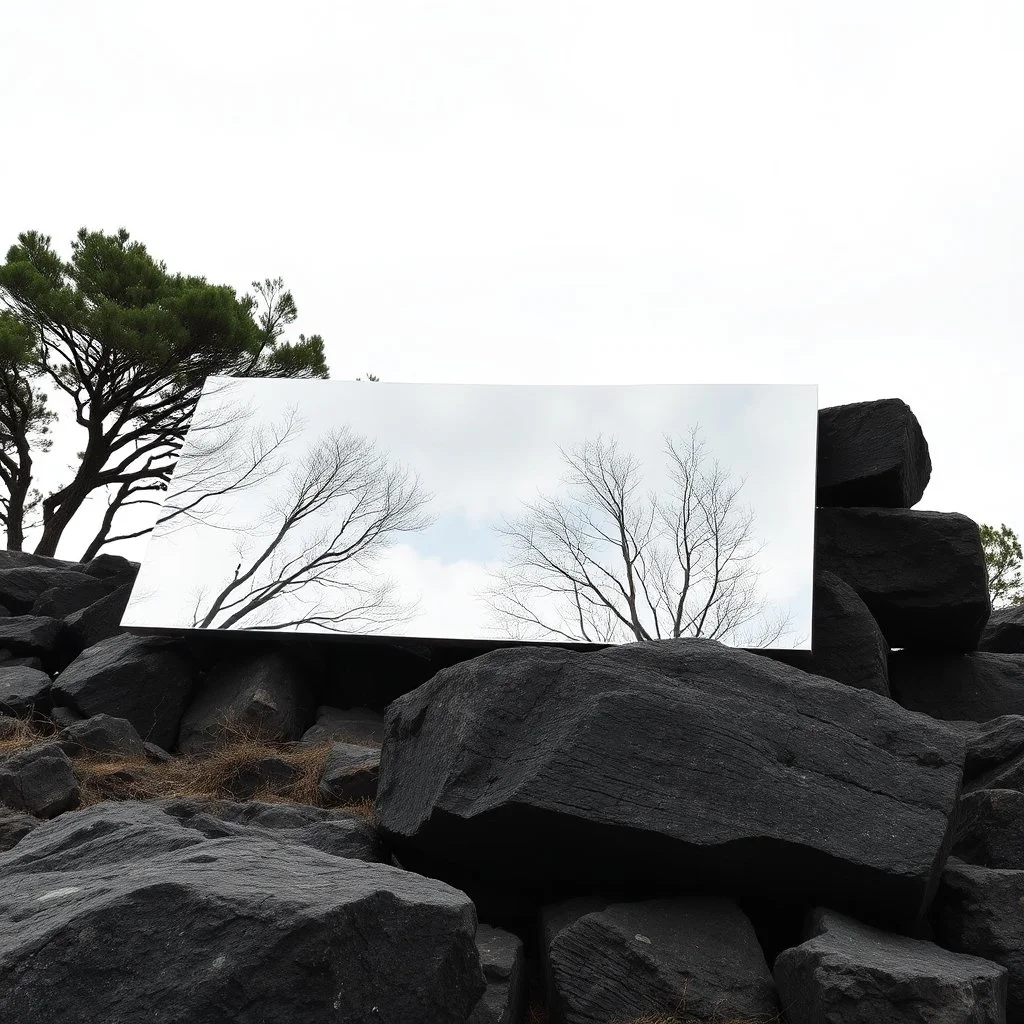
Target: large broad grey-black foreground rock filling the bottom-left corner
point(231, 930)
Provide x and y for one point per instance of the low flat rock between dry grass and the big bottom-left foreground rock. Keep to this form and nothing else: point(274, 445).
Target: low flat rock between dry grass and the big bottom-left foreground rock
point(342, 834)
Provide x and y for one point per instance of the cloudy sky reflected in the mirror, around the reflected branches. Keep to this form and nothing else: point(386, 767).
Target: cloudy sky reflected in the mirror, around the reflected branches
point(481, 454)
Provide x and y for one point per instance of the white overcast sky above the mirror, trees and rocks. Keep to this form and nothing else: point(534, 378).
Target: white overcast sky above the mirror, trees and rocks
point(570, 192)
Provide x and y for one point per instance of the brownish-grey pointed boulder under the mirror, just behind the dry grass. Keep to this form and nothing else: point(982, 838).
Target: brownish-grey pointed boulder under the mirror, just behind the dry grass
point(266, 695)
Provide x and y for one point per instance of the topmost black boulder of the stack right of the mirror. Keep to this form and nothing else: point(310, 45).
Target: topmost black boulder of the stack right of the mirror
point(872, 454)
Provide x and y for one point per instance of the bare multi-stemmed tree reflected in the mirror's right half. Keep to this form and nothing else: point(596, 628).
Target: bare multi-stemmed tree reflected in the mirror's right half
point(605, 563)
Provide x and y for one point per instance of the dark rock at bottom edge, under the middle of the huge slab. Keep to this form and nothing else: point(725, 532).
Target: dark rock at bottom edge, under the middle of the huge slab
point(693, 958)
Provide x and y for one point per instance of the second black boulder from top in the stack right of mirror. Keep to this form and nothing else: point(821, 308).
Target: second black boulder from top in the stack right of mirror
point(922, 575)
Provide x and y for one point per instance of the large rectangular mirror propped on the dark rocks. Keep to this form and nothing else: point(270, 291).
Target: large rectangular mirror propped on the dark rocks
point(577, 515)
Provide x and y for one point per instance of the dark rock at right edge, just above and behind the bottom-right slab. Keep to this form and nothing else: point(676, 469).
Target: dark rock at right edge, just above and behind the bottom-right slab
point(980, 911)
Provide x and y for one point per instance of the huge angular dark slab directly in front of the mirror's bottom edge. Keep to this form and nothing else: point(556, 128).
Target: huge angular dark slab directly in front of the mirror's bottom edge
point(682, 758)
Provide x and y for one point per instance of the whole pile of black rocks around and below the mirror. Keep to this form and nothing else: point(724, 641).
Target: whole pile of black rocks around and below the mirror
point(672, 832)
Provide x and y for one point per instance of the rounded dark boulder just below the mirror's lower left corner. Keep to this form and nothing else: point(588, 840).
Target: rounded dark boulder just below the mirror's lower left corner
point(147, 680)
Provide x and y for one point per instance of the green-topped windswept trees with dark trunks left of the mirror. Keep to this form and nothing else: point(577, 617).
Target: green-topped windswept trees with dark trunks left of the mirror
point(129, 346)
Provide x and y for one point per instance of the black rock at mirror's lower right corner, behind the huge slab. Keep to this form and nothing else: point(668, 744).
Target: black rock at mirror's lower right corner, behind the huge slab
point(848, 646)
